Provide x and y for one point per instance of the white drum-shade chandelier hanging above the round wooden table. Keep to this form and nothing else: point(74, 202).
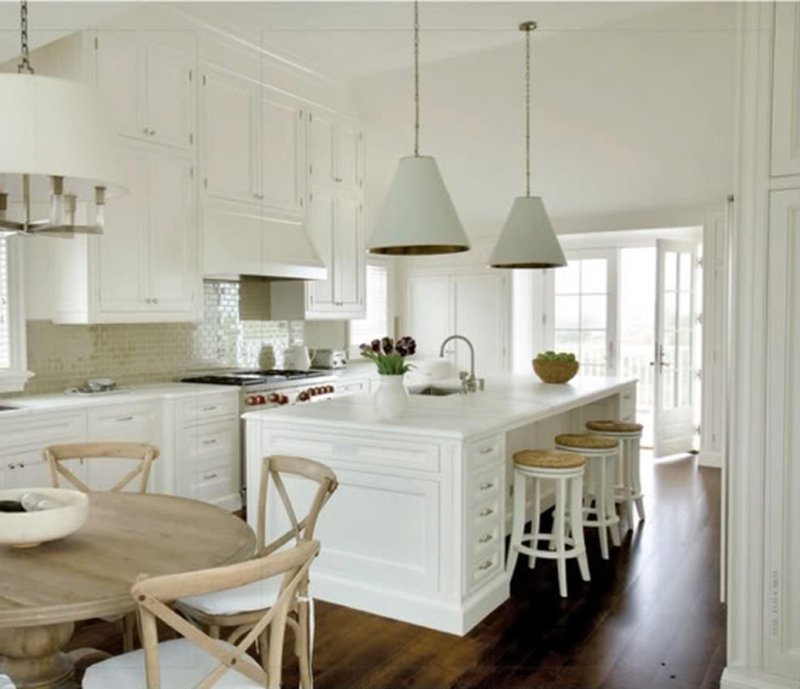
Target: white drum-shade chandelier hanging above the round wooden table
point(57, 151)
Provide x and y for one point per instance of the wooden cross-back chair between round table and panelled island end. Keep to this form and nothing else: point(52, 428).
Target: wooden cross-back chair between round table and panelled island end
point(240, 608)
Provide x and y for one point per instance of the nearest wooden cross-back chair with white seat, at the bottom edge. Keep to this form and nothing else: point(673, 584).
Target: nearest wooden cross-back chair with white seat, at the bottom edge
point(198, 660)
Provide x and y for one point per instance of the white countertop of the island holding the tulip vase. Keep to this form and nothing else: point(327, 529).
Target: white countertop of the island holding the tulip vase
point(507, 402)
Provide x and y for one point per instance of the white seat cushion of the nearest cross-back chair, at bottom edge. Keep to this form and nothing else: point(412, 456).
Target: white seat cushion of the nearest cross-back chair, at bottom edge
point(183, 665)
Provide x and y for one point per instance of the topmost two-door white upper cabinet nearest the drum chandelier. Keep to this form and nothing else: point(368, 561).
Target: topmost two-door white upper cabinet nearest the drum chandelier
point(150, 87)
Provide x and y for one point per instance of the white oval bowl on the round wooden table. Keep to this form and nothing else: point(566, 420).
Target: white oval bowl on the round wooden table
point(28, 529)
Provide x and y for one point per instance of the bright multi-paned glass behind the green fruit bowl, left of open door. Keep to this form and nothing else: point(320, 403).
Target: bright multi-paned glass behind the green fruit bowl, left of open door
point(584, 312)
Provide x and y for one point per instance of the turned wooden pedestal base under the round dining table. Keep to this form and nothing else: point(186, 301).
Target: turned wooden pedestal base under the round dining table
point(33, 659)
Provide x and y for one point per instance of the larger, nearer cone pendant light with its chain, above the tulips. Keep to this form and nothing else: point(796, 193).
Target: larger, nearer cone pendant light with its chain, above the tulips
point(418, 217)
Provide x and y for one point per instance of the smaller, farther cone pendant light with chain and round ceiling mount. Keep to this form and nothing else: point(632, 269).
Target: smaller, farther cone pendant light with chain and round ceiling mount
point(528, 239)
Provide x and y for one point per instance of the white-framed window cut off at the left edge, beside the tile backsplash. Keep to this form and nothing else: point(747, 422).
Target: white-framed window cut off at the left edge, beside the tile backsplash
point(12, 324)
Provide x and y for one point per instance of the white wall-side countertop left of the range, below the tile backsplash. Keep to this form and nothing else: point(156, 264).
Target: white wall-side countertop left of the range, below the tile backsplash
point(136, 393)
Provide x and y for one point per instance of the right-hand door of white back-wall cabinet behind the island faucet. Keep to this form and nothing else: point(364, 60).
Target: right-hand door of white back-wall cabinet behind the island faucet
point(479, 305)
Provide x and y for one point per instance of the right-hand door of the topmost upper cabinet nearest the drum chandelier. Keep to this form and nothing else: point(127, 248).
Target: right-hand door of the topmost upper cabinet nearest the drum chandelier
point(169, 97)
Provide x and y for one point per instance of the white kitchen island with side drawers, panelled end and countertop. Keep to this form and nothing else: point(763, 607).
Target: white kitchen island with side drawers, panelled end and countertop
point(416, 530)
